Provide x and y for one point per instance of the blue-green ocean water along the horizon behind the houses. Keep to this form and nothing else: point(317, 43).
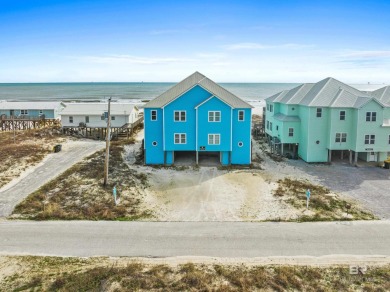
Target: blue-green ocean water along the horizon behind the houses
point(135, 92)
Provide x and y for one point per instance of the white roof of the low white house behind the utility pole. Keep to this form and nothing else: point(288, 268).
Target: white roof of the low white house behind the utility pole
point(93, 108)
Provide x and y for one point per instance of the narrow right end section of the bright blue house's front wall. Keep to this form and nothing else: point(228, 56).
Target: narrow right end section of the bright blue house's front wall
point(241, 134)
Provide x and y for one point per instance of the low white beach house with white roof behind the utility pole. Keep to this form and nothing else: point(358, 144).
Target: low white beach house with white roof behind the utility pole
point(91, 115)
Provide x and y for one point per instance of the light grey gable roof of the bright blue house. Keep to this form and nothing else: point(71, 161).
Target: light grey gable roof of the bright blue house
point(191, 81)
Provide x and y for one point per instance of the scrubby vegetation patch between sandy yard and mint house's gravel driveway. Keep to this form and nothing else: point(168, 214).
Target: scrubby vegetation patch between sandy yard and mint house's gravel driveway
point(326, 206)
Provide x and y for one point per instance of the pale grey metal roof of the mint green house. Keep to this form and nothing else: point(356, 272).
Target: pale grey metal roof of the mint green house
point(330, 92)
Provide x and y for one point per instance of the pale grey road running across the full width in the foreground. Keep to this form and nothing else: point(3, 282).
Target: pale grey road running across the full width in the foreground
point(207, 239)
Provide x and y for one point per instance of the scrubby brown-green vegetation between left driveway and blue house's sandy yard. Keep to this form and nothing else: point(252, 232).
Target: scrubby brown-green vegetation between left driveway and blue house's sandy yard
point(79, 194)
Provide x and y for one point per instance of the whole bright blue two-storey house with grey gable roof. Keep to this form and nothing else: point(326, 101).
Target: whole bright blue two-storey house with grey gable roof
point(197, 116)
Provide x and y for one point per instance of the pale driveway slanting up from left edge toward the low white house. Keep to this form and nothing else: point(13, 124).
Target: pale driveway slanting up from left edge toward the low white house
point(53, 165)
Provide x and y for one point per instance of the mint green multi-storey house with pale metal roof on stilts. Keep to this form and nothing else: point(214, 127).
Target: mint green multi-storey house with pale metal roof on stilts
point(328, 119)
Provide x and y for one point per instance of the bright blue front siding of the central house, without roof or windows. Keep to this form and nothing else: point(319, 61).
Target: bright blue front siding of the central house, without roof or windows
point(197, 104)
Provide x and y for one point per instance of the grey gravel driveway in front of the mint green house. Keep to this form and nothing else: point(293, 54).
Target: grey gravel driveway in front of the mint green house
point(368, 184)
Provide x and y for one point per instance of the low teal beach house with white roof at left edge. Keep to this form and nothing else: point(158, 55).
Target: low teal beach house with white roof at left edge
point(30, 109)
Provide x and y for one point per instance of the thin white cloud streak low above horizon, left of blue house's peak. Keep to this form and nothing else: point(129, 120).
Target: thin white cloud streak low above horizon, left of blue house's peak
point(129, 59)
